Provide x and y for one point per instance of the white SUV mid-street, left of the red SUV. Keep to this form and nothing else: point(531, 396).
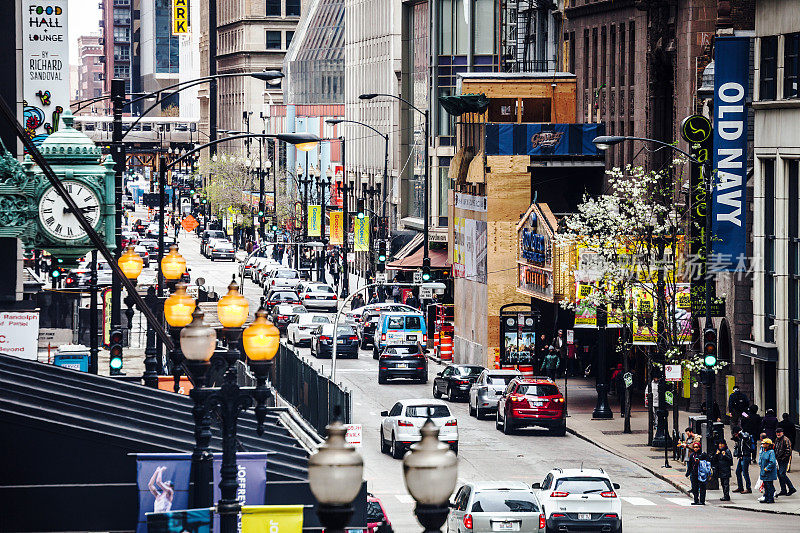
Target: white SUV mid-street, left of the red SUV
point(400, 426)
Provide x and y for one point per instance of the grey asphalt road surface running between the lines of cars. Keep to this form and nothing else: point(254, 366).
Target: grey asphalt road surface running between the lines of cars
point(649, 504)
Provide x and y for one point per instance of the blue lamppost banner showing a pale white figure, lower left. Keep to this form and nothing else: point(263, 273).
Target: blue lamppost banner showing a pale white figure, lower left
point(163, 481)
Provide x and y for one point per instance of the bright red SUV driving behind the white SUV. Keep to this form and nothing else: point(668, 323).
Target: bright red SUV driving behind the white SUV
point(532, 402)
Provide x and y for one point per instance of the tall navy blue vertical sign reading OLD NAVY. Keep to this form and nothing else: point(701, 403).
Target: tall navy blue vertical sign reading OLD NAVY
point(731, 76)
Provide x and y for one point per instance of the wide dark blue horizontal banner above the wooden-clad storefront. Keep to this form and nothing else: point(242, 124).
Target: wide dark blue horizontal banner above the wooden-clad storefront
point(543, 139)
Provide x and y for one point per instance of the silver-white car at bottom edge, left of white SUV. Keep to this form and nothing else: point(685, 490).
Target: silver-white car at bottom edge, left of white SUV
point(489, 506)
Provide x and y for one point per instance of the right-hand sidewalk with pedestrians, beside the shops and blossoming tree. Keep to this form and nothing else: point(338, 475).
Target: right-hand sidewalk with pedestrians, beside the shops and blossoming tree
point(608, 435)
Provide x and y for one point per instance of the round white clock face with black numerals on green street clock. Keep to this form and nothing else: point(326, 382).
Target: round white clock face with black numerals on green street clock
point(58, 220)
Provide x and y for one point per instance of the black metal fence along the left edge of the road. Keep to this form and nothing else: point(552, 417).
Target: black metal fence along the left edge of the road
point(315, 397)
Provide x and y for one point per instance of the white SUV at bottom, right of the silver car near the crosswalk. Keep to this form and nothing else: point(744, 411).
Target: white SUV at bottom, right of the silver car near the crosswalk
point(584, 499)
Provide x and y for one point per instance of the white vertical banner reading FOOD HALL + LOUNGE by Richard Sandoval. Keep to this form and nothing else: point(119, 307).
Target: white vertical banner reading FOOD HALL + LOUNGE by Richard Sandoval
point(45, 67)
